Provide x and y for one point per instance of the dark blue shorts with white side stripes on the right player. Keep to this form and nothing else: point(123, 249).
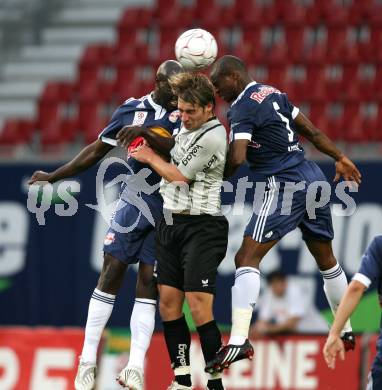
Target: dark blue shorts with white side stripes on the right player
point(287, 205)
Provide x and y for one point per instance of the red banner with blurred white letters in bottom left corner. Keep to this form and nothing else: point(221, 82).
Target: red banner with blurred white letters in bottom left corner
point(39, 359)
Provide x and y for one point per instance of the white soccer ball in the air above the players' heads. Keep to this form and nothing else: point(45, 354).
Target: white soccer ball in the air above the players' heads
point(196, 49)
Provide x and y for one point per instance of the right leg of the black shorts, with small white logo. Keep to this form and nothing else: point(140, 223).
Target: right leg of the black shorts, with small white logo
point(203, 251)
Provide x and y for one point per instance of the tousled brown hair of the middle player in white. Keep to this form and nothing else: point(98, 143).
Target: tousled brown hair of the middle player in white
point(194, 88)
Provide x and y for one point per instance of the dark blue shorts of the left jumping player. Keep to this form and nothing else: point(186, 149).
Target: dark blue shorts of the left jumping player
point(131, 236)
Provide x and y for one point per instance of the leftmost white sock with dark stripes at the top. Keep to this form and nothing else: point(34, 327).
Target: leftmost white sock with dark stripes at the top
point(100, 308)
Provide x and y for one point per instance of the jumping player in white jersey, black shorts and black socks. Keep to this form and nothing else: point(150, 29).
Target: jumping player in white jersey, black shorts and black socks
point(192, 240)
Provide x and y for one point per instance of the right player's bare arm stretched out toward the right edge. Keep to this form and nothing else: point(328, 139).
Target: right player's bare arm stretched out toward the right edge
point(344, 166)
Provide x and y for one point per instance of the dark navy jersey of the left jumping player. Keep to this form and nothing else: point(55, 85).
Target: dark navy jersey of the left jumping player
point(140, 112)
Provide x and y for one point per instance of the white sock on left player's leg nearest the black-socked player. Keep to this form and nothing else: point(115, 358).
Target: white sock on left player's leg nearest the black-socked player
point(142, 325)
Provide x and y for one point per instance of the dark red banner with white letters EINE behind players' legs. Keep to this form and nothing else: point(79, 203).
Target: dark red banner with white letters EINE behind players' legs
point(291, 362)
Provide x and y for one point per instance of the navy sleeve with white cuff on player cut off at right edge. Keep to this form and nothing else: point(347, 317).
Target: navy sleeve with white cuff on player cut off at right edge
point(371, 263)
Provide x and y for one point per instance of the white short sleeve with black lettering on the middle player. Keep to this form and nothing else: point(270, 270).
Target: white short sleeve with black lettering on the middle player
point(204, 154)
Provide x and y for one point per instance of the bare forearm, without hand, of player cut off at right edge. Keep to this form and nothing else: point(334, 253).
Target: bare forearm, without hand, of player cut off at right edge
point(348, 304)
